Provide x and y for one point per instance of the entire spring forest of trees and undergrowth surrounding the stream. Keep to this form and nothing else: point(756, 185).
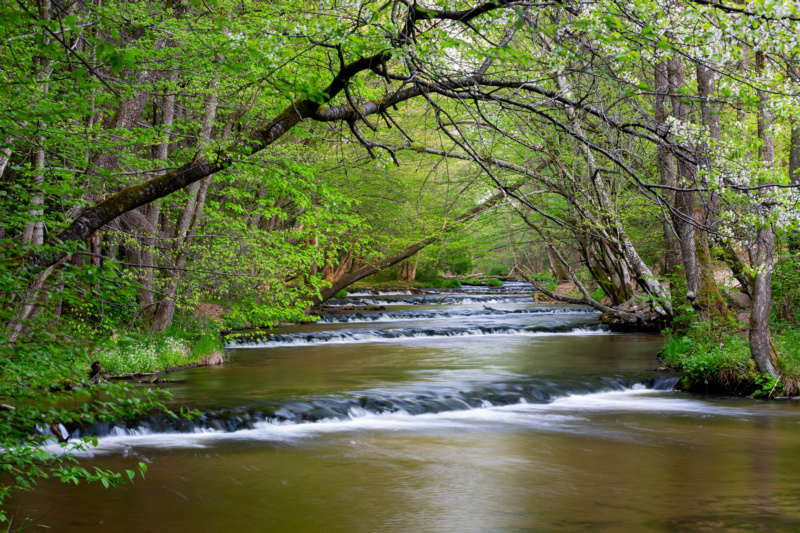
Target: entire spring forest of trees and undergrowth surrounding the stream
point(170, 170)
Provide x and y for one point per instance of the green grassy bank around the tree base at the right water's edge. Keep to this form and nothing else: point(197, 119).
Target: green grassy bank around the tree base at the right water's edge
point(716, 359)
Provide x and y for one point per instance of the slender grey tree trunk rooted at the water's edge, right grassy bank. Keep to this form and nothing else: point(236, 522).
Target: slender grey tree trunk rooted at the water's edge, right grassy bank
point(761, 347)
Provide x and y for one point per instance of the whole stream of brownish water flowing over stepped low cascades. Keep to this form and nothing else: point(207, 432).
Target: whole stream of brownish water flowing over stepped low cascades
point(454, 412)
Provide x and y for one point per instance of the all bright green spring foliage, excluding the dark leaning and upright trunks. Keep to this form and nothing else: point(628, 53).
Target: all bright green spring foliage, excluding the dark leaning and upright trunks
point(273, 222)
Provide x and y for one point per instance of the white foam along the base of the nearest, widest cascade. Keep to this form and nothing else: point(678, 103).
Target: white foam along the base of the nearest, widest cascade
point(566, 413)
